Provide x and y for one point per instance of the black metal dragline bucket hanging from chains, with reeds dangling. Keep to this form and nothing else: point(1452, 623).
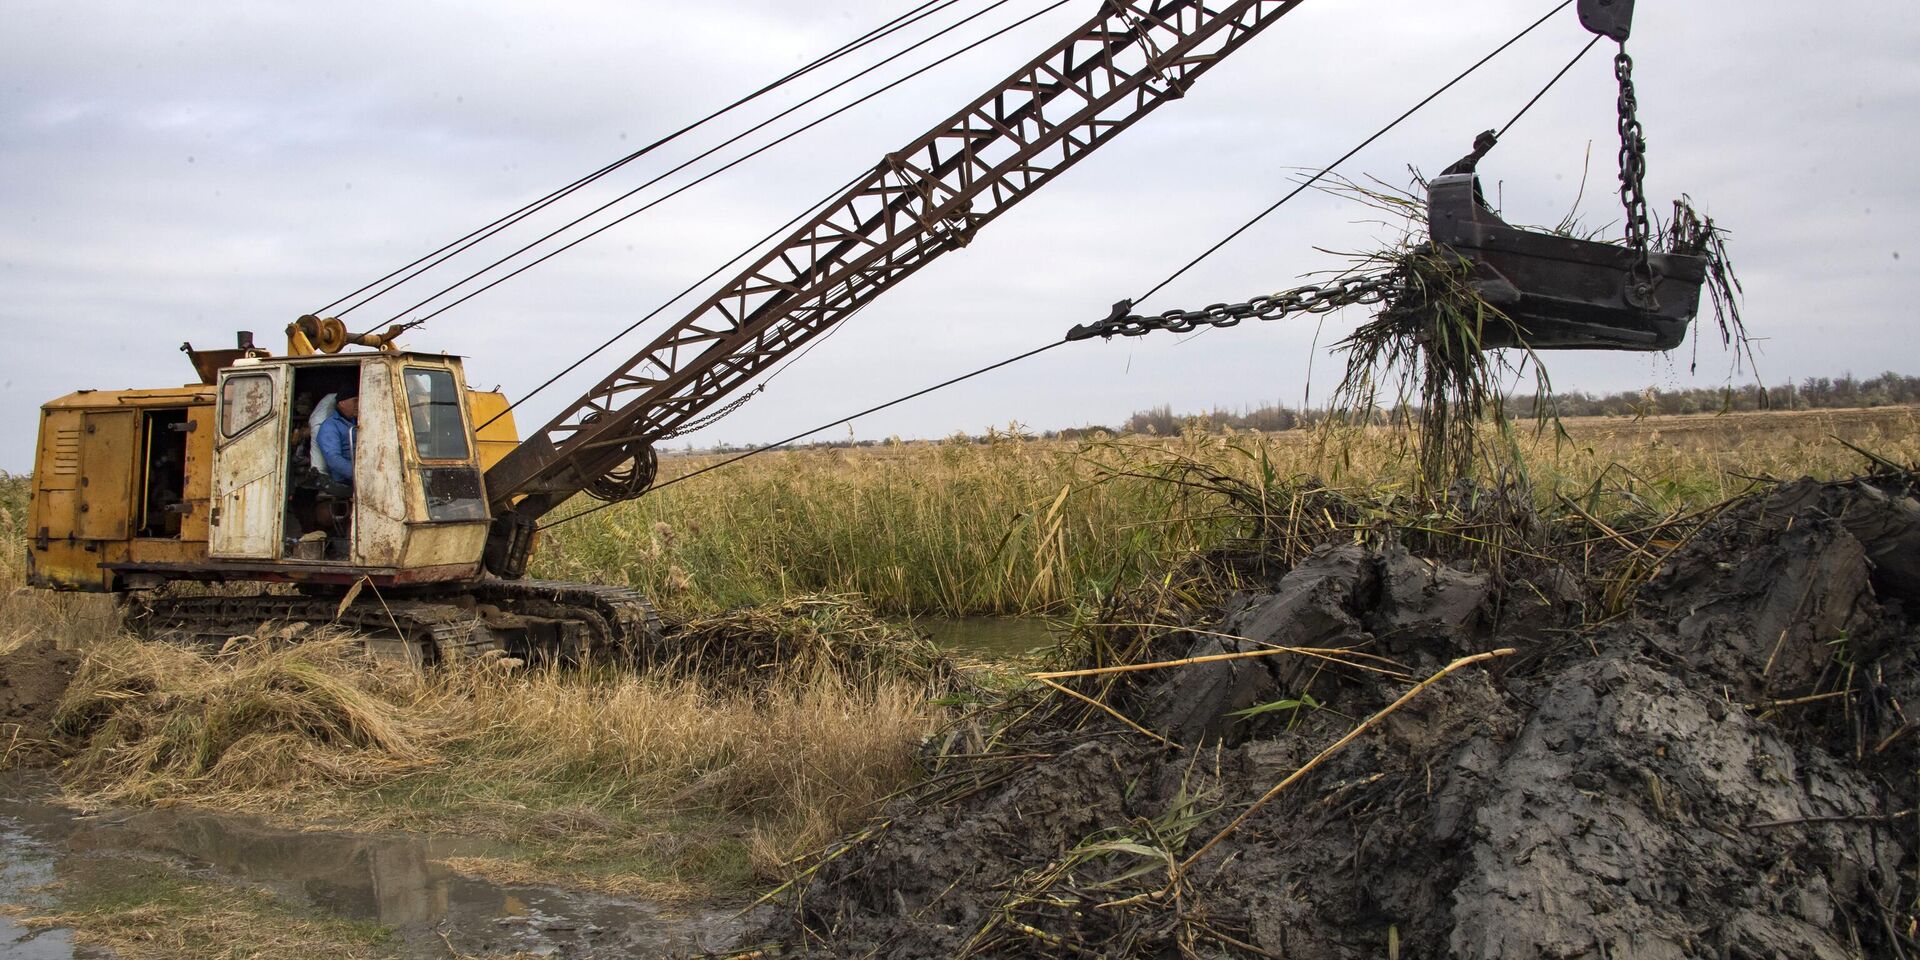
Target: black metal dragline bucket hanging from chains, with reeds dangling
point(1562, 293)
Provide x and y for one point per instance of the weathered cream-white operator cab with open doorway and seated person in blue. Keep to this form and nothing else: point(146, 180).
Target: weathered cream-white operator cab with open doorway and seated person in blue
point(410, 502)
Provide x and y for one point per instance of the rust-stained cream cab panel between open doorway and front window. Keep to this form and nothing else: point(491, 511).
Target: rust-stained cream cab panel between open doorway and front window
point(379, 469)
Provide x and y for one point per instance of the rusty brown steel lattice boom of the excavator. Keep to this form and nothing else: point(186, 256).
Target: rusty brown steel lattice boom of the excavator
point(919, 203)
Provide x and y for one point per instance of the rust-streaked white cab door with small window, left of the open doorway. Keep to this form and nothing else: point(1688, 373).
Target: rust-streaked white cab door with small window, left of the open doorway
point(249, 464)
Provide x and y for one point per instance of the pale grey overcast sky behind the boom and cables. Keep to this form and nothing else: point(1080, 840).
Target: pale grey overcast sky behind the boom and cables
point(178, 172)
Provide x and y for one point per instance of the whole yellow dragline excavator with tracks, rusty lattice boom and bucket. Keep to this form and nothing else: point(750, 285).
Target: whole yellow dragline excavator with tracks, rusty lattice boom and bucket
point(151, 492)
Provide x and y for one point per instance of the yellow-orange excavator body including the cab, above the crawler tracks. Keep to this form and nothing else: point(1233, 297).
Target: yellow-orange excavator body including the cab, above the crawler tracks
point(124, 481)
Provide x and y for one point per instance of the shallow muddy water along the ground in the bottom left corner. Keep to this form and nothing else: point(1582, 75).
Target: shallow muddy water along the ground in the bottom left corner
point(393, 880)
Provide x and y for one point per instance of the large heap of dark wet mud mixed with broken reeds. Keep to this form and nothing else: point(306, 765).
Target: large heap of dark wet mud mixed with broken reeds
point(1727, 769)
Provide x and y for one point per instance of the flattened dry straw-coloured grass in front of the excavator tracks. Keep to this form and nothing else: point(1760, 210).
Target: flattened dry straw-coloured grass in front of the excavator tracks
point(658, 784)
